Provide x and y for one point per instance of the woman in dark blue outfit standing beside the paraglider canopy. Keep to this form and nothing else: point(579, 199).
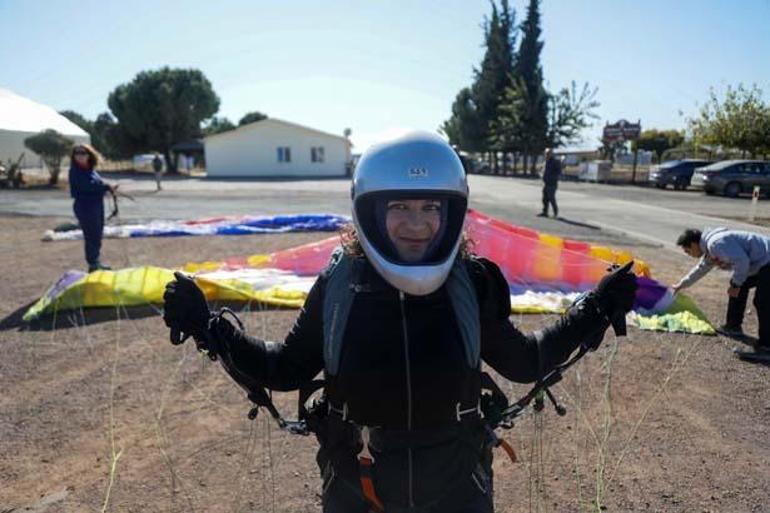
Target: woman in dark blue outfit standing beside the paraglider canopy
point(87, 189)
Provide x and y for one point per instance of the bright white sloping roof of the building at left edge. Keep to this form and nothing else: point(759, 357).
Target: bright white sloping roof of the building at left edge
point(19, 114)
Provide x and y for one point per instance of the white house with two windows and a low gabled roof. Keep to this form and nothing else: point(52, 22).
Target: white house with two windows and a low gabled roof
point(276, 148)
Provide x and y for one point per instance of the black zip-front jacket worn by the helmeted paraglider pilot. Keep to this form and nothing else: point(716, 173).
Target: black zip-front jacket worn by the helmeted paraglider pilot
point(407, 387)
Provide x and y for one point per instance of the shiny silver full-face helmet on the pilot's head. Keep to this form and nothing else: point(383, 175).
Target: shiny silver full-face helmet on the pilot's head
point(417, 165)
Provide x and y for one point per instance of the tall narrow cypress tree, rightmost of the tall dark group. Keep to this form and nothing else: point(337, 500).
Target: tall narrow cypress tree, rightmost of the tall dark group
point(528, 74)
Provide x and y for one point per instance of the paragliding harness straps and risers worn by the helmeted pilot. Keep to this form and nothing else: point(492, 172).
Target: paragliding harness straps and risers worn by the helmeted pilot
point(494, 408)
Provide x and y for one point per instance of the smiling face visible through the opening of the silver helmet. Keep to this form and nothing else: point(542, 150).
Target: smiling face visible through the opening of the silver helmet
point(412, 224)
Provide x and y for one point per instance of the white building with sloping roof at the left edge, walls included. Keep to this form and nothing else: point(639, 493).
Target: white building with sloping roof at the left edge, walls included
point(21, 117)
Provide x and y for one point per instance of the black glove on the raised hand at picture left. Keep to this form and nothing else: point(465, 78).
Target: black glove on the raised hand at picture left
point(185, 310)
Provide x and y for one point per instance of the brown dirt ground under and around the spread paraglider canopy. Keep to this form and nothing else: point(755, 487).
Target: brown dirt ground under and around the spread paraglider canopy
point(110, 417)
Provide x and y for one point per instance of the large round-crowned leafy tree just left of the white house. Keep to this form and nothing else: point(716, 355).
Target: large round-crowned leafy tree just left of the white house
point(162, 107)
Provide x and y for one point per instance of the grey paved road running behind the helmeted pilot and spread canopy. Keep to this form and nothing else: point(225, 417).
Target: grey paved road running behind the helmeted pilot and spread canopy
point(601, 213)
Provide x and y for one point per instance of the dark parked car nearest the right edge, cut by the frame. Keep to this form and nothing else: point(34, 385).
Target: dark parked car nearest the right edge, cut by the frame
point(733, 177)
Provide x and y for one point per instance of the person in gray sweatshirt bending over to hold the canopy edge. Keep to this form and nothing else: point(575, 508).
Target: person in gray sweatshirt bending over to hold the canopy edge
point(747, 254)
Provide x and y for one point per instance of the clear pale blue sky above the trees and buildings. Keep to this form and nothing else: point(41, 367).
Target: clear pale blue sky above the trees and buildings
point(378, 67)
